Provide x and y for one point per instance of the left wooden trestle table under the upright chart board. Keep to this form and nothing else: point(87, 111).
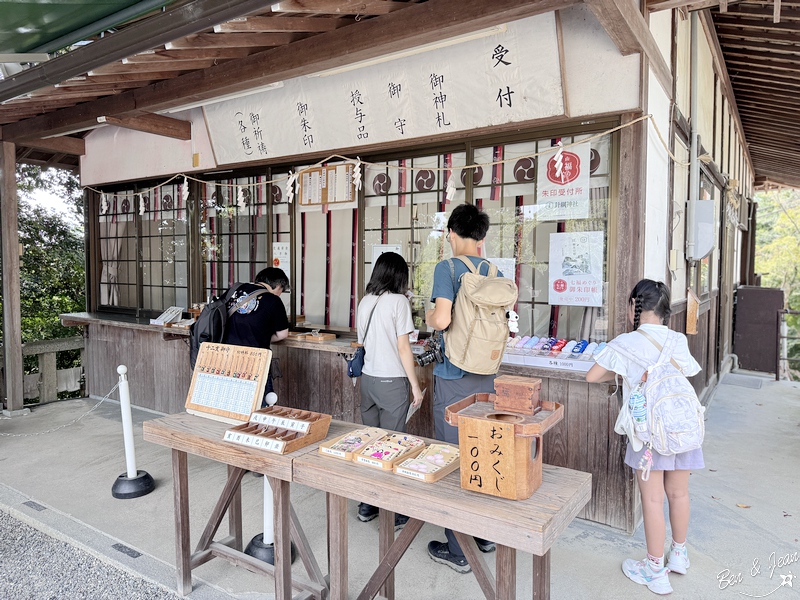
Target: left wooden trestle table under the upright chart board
point(200, 436)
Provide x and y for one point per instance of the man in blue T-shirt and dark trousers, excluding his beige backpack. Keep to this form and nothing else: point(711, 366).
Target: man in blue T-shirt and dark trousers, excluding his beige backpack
point(467, 228)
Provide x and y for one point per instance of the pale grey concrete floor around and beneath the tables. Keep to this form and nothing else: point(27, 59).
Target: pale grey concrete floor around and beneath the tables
point(58, 464)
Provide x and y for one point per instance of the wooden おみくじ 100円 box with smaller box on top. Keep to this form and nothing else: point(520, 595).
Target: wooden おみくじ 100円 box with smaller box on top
point(501, 448)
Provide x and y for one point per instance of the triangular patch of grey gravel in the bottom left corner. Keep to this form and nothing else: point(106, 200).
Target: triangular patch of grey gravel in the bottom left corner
point(35, 566)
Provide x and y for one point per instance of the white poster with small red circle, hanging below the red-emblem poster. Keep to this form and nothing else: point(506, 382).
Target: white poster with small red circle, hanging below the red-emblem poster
point(576, 269)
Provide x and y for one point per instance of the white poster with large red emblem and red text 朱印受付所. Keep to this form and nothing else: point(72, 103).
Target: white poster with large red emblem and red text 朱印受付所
point(563, 184)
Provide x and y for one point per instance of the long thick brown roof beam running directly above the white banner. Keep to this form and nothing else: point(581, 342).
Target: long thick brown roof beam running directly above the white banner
point(419, 24)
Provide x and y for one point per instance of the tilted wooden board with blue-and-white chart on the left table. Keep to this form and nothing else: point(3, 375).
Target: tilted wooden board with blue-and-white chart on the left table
point(228, 382)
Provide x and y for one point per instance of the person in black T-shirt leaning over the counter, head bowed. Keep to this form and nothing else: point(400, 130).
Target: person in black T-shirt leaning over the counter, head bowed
point(261, 320)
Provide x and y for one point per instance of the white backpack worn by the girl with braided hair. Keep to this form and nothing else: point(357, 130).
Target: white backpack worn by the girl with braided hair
point(674, 414)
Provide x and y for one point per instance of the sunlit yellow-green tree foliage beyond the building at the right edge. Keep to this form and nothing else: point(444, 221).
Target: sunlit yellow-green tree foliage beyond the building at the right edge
point(778, 253)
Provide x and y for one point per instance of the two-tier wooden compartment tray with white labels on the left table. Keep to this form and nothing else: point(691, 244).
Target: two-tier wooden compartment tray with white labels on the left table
point(280, 430)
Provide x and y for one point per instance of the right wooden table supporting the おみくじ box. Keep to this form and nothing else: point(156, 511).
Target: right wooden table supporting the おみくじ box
point(531, 525)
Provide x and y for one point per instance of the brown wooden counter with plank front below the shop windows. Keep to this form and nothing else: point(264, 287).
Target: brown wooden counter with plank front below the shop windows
point(314, 378)
